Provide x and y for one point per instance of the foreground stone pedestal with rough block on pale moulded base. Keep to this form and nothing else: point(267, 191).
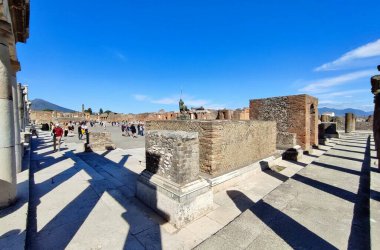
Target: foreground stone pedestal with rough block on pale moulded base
point(171, 184)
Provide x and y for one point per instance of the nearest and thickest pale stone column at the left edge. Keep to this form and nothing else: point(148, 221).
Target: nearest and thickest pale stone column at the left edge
point(8, 182)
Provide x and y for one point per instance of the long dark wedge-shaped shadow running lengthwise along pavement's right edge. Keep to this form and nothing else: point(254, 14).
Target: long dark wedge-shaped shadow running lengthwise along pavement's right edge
point(360, 236)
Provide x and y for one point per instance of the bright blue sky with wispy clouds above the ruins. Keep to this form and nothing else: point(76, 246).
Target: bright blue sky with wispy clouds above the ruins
point(137, 56)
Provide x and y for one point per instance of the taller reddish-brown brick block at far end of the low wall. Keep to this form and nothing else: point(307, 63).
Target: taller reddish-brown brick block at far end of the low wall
point(294, 114)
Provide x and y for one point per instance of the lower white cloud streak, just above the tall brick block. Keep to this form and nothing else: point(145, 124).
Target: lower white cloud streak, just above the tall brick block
point(325, 85)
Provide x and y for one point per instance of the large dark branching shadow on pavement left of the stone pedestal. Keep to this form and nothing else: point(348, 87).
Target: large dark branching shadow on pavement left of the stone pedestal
point(118, 181)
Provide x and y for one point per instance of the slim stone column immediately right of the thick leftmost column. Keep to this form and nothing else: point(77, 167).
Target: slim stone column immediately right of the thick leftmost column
point(18, 146)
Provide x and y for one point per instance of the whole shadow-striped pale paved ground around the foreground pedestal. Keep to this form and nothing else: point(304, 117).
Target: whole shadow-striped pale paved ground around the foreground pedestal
point(86, 201)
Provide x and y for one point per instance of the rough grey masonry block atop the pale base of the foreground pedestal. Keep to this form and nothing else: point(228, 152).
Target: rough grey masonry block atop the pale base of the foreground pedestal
point(173, 155)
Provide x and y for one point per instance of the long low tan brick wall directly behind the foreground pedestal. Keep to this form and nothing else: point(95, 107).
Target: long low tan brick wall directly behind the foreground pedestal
point(226, 145)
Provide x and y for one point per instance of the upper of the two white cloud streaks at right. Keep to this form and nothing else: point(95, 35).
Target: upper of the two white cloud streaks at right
point(368, 50)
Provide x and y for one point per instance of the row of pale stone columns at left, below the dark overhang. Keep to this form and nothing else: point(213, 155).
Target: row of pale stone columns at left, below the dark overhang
point(13, 118)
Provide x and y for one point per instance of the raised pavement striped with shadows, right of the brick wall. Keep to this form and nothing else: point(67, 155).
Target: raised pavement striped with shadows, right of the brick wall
point(323, 206)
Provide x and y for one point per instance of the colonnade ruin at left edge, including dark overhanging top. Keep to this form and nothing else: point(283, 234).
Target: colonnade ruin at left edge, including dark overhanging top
point(14, 28)
